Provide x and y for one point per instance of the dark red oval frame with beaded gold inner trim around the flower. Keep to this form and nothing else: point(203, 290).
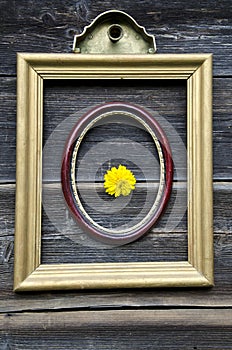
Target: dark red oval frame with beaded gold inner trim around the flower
point(67, 182)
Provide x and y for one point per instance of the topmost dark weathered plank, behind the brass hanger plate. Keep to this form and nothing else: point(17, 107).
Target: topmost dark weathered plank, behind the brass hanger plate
point(51, 26)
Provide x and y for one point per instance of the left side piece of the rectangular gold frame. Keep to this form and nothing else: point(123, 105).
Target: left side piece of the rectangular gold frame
point(29, 171)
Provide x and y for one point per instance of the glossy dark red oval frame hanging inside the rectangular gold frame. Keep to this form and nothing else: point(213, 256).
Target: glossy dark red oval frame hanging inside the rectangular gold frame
point(66, 167)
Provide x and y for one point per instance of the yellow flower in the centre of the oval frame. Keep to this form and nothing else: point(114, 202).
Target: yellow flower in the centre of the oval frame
point(119, 181)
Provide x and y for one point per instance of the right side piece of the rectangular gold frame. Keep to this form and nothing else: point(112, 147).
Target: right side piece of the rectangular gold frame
point(200, 200)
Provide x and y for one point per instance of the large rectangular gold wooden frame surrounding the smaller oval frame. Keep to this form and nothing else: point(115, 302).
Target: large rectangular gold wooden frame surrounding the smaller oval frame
point(33, 69)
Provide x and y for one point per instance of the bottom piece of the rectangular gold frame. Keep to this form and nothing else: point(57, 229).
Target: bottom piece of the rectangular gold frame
point(101, 276)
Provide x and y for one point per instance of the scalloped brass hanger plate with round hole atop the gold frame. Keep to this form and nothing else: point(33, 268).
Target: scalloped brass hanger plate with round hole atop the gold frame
point(114, 32)
